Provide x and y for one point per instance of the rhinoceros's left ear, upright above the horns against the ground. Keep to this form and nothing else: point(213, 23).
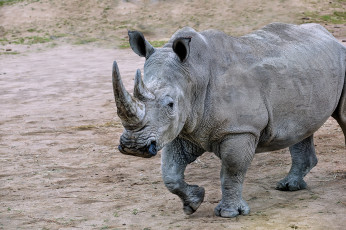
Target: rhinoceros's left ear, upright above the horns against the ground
point(139, 45)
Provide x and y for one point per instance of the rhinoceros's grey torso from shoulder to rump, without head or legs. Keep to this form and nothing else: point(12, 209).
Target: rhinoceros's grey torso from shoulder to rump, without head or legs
point(280, 83)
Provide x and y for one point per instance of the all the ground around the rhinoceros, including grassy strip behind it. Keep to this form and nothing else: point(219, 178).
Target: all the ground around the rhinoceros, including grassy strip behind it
point(59, 163)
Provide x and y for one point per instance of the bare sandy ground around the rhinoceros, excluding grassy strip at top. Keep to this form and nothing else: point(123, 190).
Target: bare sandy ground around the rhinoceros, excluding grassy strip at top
point(60, 169)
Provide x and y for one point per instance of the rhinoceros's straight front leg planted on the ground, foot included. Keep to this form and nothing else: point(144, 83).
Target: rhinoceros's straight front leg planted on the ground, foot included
point(236, 154)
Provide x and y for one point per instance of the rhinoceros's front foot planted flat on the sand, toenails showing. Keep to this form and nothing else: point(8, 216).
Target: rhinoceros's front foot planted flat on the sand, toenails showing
point(232, 209)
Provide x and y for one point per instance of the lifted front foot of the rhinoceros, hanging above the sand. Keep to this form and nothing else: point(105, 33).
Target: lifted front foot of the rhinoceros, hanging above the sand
point(195, 197)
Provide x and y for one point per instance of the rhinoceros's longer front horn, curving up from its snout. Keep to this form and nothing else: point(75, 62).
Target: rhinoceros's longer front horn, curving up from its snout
point(130, 110)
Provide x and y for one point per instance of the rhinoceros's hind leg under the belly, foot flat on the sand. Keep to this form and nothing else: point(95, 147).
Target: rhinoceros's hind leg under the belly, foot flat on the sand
point(303, 160)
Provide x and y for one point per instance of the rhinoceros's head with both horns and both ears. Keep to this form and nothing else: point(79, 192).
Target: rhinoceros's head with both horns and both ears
point(157, 111)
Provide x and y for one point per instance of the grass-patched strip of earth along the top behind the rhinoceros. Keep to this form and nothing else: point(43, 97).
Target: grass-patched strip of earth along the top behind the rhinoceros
point(105, 22)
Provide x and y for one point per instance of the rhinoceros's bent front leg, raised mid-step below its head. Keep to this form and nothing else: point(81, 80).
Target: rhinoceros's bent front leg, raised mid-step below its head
point(175, 157)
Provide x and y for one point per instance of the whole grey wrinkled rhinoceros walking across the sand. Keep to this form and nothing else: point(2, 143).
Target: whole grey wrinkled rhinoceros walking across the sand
point(234, 96)
